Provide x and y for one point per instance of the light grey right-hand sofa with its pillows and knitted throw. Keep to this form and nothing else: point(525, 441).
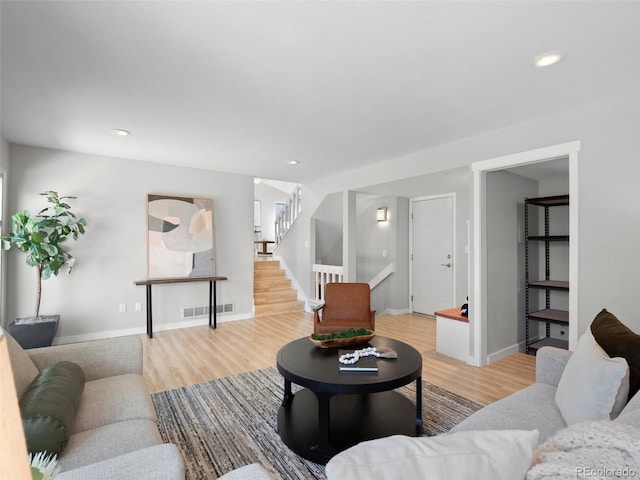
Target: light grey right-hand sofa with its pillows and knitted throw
point(581, 419)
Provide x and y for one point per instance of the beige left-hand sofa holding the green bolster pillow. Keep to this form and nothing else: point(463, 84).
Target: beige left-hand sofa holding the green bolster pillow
point(114, 432)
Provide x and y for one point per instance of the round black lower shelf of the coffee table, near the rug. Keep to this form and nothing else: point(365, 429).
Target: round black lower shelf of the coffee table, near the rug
point(353, 418)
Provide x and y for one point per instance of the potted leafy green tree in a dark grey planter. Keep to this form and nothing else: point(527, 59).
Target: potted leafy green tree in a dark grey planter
point(42, 238)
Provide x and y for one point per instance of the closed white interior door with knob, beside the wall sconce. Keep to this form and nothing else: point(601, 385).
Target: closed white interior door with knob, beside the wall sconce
point(432, 245)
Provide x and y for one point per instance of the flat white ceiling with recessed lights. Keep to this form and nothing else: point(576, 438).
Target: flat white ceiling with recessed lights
point(245, 87)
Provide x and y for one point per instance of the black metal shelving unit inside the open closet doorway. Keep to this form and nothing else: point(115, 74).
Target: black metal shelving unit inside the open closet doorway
point(547, 315)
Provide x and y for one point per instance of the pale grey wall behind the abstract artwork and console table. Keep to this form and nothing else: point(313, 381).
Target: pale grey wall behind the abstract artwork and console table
point(112, 255)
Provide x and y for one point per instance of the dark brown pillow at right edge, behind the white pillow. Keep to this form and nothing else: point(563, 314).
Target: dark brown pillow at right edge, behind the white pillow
point(618, 340)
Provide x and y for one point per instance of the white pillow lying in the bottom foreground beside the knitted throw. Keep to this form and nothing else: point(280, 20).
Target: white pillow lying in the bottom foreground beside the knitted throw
point(495, 454)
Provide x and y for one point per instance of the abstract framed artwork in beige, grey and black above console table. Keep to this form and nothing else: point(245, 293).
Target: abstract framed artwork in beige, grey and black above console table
point(179, 236)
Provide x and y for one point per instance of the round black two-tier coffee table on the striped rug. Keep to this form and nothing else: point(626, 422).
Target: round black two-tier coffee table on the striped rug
point(337, 410)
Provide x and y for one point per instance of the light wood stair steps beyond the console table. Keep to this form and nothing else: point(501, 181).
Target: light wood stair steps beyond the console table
point(272, 292)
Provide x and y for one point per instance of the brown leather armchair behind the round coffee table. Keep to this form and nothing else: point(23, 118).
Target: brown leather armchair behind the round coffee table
point(346, 305)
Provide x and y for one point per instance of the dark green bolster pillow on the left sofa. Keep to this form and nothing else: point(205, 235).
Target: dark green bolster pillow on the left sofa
point(49, 406)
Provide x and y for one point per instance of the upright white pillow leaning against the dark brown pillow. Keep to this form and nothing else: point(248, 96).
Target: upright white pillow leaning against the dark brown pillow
point(593, 386)
